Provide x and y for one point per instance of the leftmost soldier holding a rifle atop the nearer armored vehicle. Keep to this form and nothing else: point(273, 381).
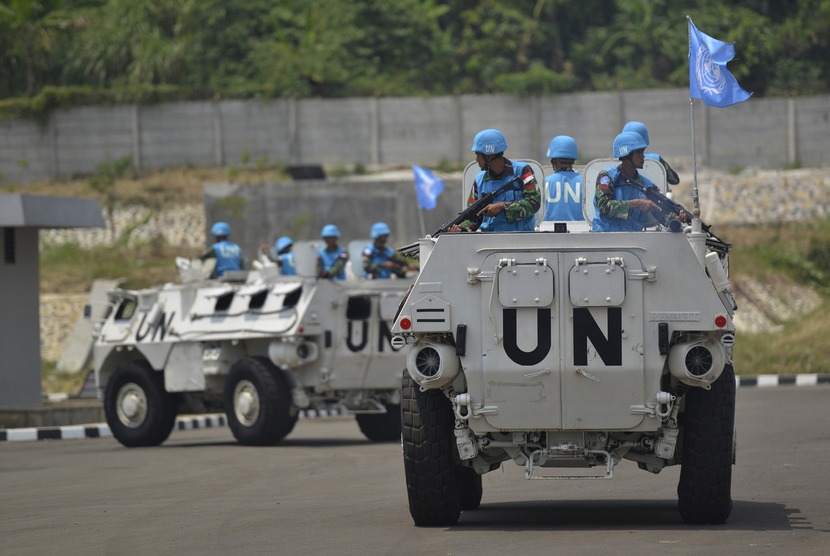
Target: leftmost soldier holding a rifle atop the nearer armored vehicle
point(512, 210)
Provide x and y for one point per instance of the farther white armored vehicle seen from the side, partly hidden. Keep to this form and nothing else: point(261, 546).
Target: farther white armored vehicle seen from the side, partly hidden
point(260, 346)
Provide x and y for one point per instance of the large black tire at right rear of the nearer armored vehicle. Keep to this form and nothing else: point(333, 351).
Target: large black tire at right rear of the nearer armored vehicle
point(705, 487)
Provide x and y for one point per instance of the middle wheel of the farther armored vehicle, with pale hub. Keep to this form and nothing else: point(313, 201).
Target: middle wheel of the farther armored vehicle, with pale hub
point(258, 402)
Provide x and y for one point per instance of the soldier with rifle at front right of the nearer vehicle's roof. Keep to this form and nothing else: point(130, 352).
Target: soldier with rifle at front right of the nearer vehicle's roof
point(619, 206)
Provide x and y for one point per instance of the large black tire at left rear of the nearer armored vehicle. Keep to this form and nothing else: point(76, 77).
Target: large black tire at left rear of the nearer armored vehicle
point(429, 465)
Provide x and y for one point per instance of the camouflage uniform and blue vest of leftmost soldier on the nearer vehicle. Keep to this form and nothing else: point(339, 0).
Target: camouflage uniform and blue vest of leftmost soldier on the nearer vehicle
point(522, 204)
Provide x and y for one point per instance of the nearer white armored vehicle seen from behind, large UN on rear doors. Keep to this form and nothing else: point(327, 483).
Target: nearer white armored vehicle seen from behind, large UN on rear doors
point(567, 353)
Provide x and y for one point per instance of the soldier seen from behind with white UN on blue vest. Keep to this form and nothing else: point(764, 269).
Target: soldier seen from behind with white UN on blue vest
point(563, 188)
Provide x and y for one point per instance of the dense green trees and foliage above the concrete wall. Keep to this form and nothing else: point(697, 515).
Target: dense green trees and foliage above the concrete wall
point(147, 49)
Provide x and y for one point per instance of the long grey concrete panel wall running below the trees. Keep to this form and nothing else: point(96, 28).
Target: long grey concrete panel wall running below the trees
point(768, 133)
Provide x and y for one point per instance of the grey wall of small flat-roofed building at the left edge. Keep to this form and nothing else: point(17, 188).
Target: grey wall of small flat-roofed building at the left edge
point(19, 321)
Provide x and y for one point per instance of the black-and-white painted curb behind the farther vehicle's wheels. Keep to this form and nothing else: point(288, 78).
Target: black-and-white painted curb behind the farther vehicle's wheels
point(101, 430)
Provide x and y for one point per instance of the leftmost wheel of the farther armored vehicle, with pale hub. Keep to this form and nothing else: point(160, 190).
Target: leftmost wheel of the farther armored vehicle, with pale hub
point(139, 411)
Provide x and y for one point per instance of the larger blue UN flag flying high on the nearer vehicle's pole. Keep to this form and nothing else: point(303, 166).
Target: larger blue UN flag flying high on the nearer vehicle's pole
point(709, 80)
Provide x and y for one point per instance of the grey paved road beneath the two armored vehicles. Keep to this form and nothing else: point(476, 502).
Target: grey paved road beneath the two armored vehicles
point(326, 490)
